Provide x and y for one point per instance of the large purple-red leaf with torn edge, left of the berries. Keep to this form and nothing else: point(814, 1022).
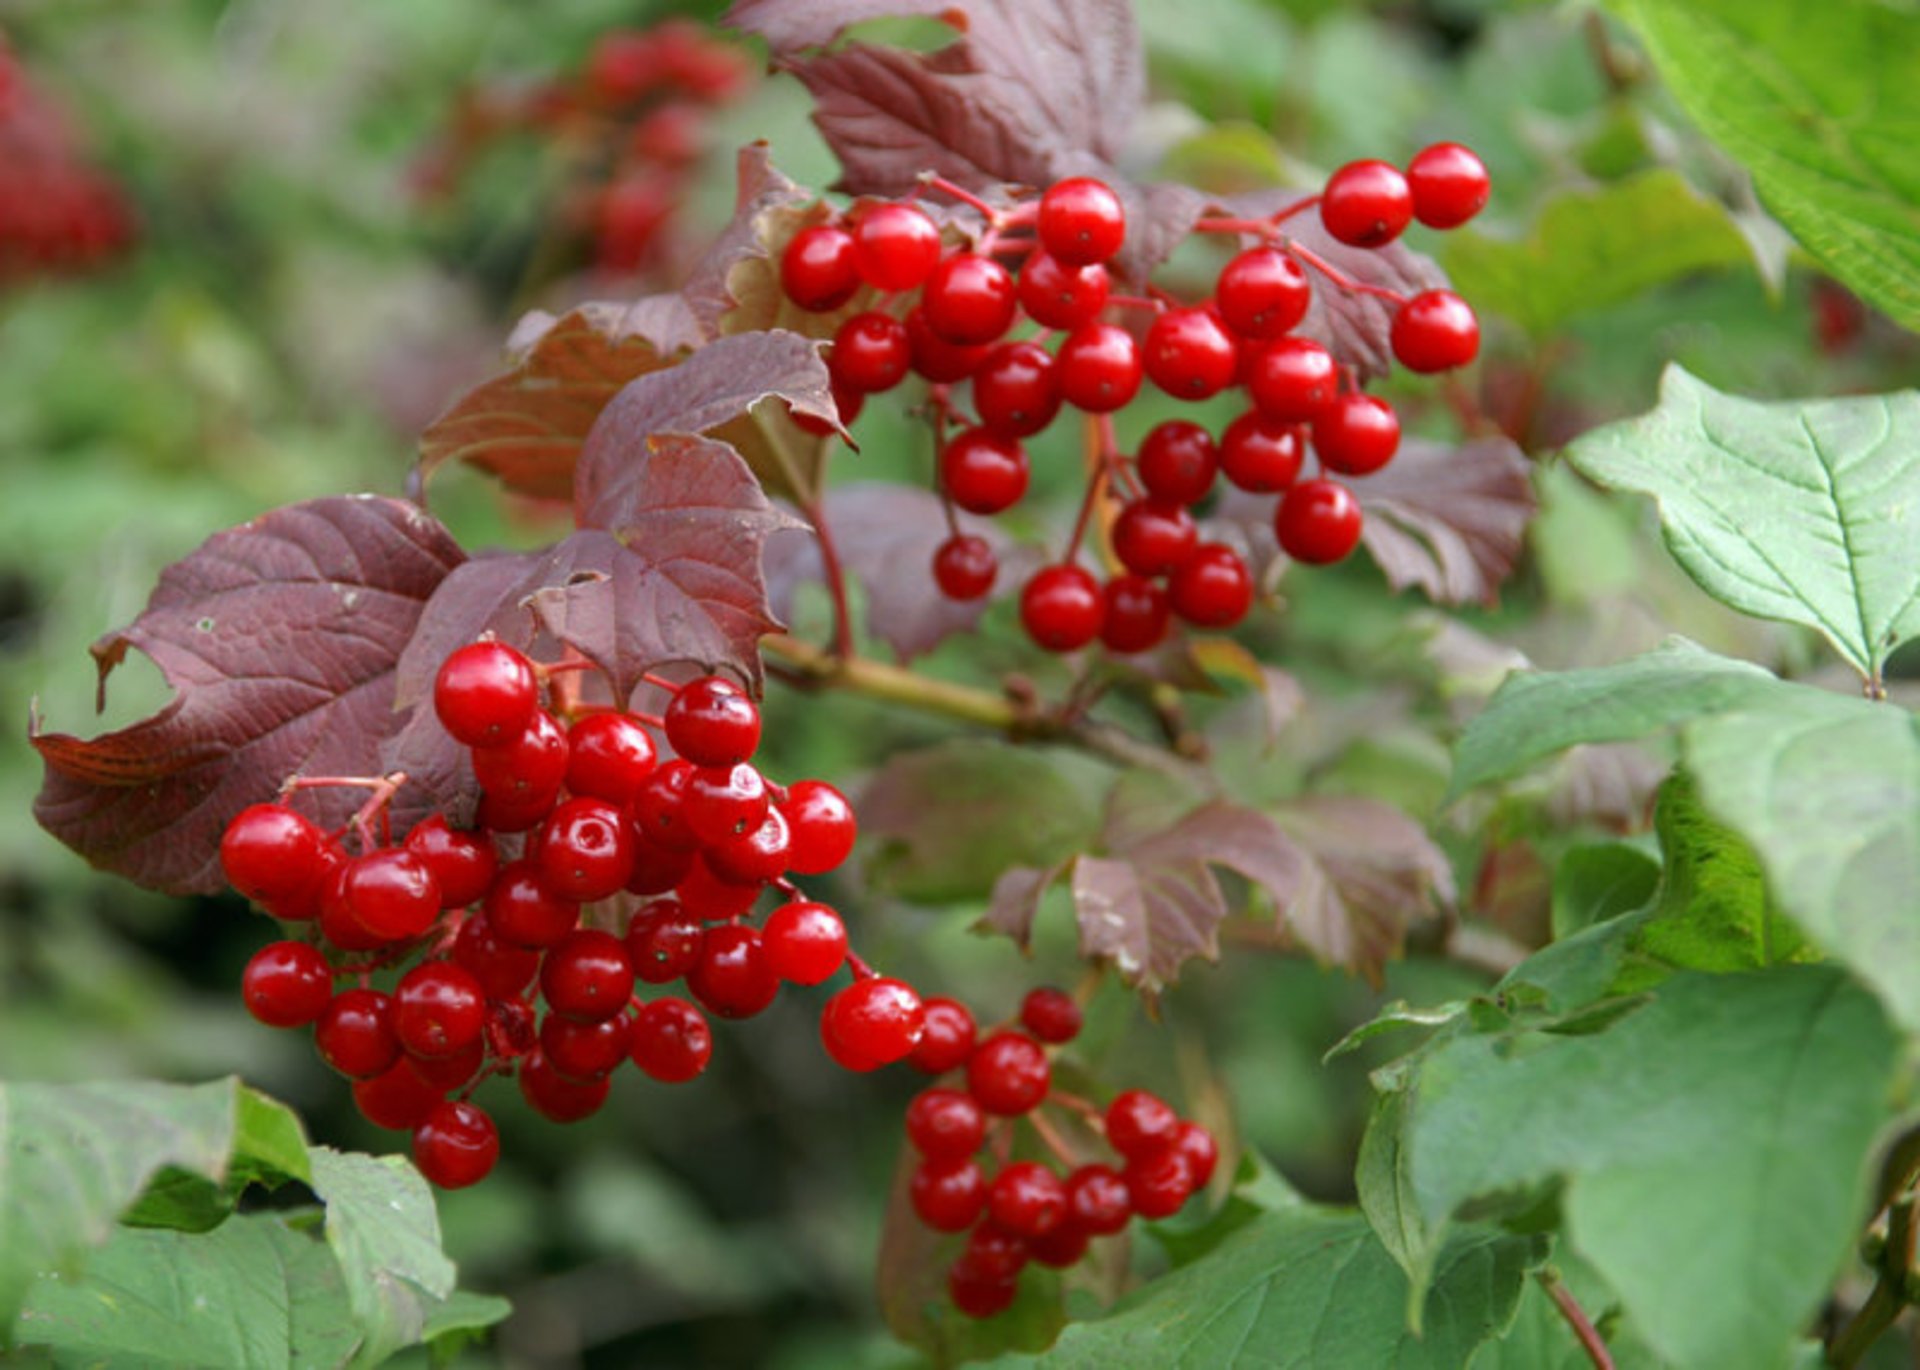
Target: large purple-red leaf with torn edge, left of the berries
point(279, 640)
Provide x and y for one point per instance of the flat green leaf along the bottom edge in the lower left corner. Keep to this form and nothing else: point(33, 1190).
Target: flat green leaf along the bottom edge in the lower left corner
point(254, 1294)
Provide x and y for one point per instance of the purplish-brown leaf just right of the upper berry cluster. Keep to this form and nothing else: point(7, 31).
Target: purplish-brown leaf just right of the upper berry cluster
point(1449, 519)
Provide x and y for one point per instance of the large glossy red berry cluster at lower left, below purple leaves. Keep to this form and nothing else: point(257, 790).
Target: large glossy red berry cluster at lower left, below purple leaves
point(506, 941)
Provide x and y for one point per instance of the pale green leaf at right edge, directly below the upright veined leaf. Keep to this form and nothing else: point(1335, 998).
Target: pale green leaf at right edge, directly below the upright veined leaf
point(1827, 790)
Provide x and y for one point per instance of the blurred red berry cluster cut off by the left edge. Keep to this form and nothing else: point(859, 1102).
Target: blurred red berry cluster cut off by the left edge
point(57, 214)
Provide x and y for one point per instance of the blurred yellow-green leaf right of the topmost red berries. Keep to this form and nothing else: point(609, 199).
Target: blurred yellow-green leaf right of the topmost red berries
point(1595, 248)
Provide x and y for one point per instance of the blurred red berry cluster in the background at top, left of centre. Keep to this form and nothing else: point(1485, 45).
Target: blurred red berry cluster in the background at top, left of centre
point(636, 116)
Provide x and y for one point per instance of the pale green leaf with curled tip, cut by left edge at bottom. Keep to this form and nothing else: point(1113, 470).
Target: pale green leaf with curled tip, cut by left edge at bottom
point(78, 1156)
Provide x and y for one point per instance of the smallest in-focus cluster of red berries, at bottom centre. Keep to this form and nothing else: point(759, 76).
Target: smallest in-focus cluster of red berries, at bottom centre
point(1026, 1210)
